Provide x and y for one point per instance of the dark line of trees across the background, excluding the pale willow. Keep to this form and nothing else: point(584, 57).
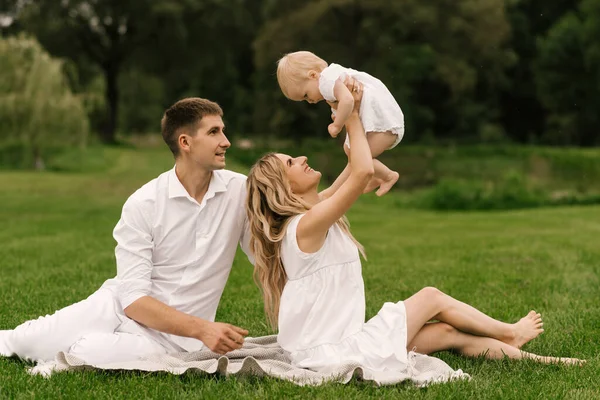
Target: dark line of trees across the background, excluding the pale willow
point(463, 70)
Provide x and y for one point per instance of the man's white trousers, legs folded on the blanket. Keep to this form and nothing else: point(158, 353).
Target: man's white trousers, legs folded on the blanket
point(87, 329)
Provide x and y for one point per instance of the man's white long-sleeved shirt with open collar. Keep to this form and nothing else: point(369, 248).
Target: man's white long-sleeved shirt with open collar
point(178, 251)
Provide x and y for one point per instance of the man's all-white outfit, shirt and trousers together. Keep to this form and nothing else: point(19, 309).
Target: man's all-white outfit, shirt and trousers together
point(168, 247)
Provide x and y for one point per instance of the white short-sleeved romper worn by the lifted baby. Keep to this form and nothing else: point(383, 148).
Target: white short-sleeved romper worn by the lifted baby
point(379, 111)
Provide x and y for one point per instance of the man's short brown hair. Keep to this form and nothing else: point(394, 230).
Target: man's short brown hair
point(185, 114)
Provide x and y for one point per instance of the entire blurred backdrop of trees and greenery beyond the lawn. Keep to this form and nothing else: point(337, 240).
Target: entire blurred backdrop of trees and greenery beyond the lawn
point(501, 97)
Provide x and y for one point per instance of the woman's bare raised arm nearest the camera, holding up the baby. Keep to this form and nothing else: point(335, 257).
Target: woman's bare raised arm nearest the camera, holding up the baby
point(313, 227)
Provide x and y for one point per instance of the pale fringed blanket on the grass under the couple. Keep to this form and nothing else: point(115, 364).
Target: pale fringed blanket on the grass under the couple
point(262, 356)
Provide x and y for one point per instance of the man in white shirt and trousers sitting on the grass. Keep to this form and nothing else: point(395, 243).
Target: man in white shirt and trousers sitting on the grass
point(176, 241)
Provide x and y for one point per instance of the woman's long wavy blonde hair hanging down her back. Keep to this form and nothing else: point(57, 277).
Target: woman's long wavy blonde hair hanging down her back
point(270, 206)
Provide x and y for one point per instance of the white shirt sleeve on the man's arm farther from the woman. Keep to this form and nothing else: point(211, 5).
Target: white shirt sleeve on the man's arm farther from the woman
point(133, 253)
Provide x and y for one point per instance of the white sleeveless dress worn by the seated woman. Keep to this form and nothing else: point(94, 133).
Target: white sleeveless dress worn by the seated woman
point(322, 309)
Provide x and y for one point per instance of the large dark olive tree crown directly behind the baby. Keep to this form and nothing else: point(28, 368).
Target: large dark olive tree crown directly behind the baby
point(441, 60)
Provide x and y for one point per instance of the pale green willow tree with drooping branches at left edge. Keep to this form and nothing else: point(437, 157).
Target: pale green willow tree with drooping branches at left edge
point(37, 108)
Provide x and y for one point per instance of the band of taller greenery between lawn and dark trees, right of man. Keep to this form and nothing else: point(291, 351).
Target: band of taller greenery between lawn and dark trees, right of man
point(464, 177)
